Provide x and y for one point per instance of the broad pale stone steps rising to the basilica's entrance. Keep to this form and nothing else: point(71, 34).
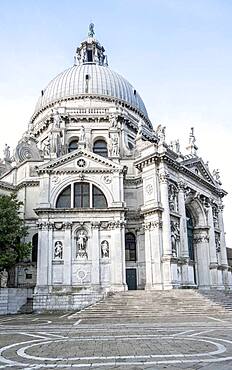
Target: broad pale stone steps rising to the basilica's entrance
point(148, 305)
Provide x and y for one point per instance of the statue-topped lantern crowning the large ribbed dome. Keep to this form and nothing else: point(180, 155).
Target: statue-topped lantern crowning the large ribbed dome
point(90, 51)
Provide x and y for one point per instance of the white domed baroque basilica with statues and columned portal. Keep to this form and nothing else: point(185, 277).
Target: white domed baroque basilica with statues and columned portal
point(110, 205)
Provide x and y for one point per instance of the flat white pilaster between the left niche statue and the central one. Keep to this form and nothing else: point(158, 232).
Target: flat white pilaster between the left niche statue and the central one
point(67, 254)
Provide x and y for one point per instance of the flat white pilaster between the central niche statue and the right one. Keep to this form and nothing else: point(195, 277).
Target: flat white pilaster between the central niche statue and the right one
point(95, 254)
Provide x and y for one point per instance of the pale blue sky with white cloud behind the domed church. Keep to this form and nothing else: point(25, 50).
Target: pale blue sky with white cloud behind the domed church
point(177, 53)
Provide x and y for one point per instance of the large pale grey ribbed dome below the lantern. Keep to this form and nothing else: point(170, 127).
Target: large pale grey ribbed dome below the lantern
point(88, 80)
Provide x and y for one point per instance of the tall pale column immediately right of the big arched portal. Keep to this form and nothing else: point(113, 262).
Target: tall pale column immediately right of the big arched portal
point(212, 250)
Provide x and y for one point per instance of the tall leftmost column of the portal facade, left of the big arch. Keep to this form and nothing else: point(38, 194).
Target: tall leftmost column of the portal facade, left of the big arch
point(167, 248)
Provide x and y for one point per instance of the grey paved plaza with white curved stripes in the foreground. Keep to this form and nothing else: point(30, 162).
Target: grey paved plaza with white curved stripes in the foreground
point(62, 340)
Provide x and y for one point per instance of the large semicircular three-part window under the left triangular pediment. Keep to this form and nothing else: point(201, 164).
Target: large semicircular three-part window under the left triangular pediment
point(81, 195)
